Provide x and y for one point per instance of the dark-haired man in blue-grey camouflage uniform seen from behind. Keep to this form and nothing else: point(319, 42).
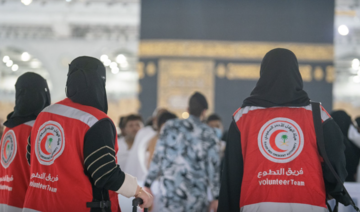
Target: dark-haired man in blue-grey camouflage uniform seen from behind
point(187, 162)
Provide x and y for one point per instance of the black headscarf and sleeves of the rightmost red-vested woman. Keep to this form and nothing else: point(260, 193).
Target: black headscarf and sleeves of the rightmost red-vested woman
point(280, 85)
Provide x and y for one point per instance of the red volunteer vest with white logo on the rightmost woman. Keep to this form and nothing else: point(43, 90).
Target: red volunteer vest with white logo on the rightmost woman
point(282, 167)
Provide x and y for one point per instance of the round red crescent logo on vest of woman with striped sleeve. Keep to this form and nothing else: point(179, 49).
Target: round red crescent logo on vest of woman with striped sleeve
point(49, 143)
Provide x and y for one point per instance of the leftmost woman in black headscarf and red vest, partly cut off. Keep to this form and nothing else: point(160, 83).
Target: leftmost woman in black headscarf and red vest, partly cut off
point(31, 97)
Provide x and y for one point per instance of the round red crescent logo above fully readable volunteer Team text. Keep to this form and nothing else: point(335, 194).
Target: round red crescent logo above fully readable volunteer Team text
point(280, 140)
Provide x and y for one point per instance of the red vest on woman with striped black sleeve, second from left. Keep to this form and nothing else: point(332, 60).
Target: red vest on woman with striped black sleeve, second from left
point(57, 179)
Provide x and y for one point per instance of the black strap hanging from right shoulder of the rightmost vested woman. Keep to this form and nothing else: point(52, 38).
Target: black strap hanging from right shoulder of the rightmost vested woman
point(321, 146)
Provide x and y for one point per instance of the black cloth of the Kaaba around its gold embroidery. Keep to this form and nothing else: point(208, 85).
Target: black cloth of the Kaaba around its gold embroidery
point(295, 21)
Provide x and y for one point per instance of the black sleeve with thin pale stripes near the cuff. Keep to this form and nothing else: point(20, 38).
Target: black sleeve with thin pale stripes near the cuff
point(99, 156)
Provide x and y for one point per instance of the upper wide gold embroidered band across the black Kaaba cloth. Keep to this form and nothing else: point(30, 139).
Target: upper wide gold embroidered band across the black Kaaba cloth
point(232, 50)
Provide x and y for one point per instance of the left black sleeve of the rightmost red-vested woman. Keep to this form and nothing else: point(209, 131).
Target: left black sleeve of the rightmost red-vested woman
point(232, 173)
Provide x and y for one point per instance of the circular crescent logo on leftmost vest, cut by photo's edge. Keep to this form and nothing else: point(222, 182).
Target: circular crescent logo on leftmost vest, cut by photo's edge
point(8, 148)
